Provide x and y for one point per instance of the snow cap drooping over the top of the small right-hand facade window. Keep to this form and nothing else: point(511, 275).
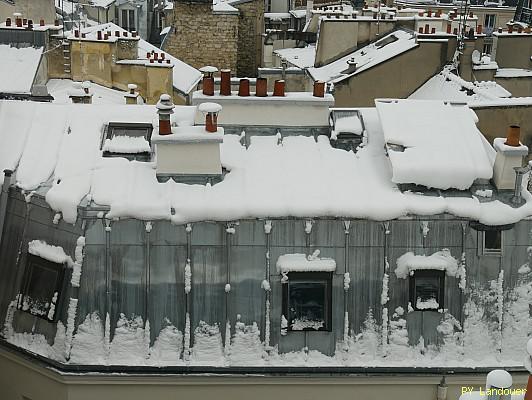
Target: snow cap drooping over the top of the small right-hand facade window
point(441, 260)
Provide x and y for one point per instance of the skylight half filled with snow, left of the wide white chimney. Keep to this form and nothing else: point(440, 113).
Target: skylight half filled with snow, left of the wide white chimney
point(128, 140)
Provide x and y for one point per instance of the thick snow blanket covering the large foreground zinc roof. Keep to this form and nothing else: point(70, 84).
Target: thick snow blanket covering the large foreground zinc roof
point(300, 177)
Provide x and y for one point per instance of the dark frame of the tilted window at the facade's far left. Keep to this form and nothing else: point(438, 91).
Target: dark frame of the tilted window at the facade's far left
point(58, 287)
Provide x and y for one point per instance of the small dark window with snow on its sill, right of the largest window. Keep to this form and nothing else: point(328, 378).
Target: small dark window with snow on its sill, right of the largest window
point(427, 290)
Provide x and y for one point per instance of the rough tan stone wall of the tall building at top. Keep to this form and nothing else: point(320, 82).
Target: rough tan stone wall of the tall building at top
point(201, 38)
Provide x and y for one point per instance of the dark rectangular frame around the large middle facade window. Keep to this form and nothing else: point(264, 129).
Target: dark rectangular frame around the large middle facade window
point(319, 277)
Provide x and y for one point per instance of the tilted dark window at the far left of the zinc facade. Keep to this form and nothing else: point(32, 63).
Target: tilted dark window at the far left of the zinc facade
point(41, 288)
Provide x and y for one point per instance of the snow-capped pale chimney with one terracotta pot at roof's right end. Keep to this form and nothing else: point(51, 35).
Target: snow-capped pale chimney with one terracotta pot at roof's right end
point(510, 154)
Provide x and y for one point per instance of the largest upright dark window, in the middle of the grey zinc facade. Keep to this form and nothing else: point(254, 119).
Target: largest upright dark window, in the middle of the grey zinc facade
point(307, 301)
